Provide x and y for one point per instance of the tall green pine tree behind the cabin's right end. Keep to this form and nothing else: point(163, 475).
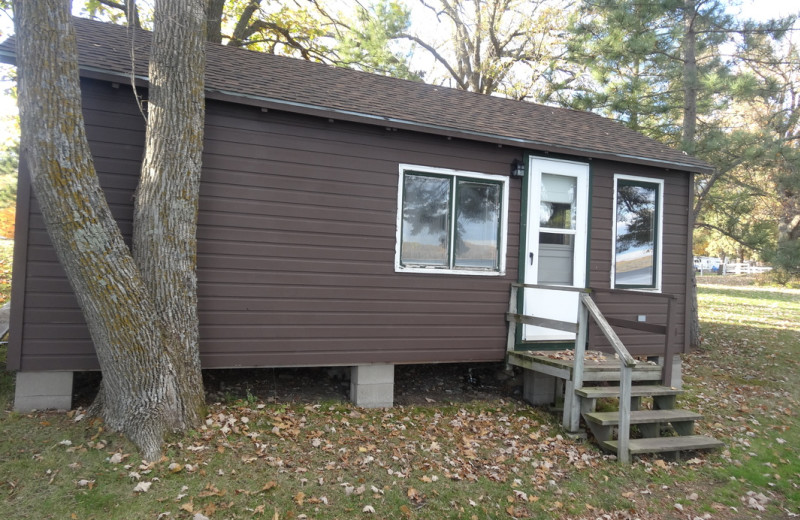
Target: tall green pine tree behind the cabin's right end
point(663, 68)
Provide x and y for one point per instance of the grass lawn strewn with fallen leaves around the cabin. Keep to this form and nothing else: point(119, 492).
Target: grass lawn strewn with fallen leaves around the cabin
point(484, 459)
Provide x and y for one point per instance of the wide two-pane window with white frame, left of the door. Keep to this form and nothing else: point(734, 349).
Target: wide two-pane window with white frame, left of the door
point(451, 221)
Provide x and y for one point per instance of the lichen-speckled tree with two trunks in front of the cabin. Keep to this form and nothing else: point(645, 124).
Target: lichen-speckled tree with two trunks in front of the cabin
point(150, 375)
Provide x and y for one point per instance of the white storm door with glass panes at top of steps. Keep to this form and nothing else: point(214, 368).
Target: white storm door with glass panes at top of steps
point(557, 234)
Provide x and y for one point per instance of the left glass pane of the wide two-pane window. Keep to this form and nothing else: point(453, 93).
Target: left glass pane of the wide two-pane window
point(426, 202)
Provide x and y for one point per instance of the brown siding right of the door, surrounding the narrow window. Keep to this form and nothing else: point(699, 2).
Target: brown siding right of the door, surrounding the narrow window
point(674, 258)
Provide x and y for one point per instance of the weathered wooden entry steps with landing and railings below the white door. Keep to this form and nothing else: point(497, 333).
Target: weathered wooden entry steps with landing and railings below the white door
point(644, 401)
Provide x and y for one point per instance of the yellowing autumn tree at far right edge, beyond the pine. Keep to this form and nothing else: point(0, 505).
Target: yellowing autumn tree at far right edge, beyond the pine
point(758, 204)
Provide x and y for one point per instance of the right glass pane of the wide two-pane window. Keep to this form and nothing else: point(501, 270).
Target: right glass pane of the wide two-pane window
point(477, 224)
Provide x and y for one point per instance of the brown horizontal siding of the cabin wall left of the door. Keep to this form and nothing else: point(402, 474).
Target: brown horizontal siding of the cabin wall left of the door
point(296, 240)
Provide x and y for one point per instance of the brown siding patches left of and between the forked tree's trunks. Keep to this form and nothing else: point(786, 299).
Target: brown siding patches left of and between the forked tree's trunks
point(53, 334)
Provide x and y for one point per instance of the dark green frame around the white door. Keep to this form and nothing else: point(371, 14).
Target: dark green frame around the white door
point(525, 209)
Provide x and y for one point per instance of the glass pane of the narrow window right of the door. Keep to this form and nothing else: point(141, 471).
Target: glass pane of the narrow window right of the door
point(636, 234)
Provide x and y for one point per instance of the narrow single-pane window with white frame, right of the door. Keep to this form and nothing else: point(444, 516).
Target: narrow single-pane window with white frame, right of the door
point(638, 225)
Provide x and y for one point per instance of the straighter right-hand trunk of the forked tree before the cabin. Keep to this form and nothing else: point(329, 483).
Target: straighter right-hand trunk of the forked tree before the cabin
point(165, 212)
